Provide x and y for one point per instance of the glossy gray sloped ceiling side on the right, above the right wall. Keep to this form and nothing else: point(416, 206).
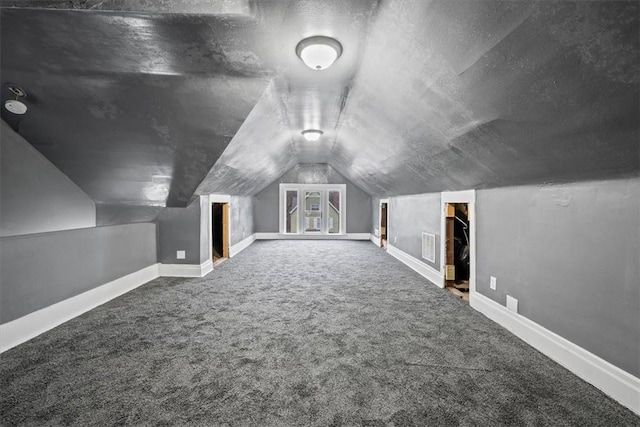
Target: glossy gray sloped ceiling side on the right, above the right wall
point(458, 95)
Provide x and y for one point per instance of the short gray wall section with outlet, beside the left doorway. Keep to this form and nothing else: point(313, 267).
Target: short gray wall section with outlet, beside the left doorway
point(180, 229)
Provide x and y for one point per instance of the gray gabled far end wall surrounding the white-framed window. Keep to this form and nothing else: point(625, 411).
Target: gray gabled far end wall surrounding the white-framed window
point(266, 210)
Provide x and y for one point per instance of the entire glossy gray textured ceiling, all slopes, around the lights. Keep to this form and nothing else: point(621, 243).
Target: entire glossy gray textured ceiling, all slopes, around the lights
point(144, 102)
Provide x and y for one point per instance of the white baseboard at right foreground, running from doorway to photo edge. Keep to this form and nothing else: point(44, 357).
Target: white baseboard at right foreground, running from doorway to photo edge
point(619, 384)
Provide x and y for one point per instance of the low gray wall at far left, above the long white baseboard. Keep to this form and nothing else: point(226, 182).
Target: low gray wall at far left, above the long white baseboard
point(42, 269)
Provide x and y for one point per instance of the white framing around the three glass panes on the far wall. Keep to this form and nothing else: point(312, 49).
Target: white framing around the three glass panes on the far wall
point(324, 190)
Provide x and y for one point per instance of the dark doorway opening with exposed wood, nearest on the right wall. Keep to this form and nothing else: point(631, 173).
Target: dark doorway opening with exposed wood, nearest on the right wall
point(457, 249)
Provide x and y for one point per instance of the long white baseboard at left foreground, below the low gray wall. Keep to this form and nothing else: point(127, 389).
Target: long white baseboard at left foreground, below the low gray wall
point(33, 324)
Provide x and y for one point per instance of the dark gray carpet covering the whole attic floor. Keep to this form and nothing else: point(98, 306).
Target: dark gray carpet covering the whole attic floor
point(293, 333)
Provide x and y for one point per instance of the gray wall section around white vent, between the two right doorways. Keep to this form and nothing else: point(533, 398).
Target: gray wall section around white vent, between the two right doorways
point(409, 216)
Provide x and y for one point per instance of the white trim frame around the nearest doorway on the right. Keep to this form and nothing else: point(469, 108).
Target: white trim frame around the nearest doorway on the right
point(469, 197)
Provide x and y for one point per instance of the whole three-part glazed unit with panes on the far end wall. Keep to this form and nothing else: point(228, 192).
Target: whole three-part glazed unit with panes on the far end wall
point(312, 209)
